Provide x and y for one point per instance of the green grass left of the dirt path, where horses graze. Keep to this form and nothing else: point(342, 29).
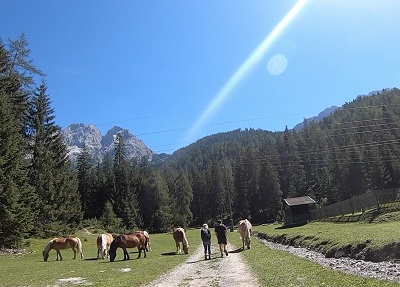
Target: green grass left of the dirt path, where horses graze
point(31, 270)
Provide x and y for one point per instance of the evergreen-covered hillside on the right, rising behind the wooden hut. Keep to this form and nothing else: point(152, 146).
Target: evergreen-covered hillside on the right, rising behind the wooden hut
point(354, 150)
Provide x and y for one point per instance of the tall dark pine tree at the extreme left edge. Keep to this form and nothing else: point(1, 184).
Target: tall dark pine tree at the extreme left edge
point(17, 200)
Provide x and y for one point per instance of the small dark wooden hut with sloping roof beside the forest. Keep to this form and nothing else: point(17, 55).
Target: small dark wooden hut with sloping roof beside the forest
point(297, 210)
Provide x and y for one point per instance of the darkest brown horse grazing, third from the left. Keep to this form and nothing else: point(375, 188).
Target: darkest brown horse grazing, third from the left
point(124, 241)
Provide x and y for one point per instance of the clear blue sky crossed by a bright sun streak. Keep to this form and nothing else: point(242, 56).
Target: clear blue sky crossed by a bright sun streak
point(173, 72)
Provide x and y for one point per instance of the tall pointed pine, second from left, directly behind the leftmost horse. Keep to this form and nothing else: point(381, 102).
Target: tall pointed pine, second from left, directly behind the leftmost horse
point(50, 173)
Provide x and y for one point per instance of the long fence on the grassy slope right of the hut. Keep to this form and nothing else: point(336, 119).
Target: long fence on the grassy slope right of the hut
point(376, 199)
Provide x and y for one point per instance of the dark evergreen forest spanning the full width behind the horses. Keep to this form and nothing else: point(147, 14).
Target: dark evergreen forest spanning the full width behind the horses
point(232, 175)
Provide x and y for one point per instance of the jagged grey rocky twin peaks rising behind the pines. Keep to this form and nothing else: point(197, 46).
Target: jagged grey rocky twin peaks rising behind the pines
point(78, 135)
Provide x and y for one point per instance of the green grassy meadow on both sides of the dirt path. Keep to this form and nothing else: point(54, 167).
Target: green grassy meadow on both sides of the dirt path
point(271, 267)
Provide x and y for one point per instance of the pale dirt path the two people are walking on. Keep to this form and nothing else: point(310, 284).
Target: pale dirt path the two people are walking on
point(221, 272)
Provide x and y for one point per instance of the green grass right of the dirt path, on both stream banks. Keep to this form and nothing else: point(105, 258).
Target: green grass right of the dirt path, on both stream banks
point(280, 268)
